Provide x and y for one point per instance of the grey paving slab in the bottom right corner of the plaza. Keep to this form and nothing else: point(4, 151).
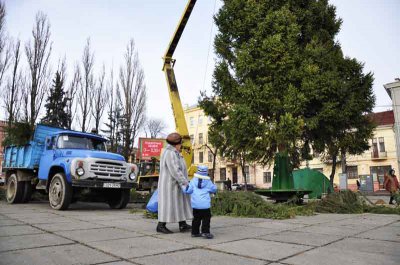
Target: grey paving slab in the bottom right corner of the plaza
point(328, 256)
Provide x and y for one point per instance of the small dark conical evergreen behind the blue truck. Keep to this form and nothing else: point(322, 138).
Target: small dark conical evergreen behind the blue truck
point(56, 106)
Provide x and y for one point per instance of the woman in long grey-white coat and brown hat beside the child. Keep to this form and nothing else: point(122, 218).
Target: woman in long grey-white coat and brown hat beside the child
point(173, 205)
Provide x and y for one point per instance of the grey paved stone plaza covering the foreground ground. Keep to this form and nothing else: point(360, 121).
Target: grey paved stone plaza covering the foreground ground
point(93, 234)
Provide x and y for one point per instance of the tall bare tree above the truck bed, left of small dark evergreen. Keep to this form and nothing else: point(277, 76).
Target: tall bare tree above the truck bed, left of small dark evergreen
point(38, 53)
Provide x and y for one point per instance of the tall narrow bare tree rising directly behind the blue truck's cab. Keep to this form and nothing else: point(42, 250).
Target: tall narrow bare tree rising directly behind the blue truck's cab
point(86, 87)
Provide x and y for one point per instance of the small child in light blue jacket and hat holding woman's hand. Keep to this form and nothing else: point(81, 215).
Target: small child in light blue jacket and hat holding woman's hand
point(200, 188)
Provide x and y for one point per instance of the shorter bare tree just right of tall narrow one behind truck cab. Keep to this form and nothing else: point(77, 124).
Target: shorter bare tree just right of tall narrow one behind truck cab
point(99, 99)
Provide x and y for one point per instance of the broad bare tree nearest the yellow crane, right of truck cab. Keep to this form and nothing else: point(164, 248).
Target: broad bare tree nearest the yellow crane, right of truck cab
point(132, 97)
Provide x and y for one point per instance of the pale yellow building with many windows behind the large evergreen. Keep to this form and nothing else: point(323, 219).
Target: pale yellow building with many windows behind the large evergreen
point(375, 162)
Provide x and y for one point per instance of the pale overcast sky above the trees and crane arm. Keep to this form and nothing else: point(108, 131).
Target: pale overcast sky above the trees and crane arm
point(370, 33)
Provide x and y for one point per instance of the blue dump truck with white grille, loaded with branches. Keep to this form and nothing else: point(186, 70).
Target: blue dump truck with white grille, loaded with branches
point(64, 163)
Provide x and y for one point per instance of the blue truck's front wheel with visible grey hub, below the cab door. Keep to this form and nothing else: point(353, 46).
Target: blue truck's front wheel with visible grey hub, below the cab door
point(60, 192)
